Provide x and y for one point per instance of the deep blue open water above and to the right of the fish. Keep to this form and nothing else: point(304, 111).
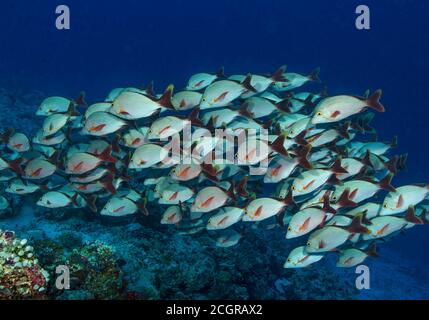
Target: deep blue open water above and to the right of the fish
point(120, 43)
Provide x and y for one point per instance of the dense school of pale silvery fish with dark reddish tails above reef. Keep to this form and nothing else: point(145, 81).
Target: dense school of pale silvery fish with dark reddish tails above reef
point(325, 170)
